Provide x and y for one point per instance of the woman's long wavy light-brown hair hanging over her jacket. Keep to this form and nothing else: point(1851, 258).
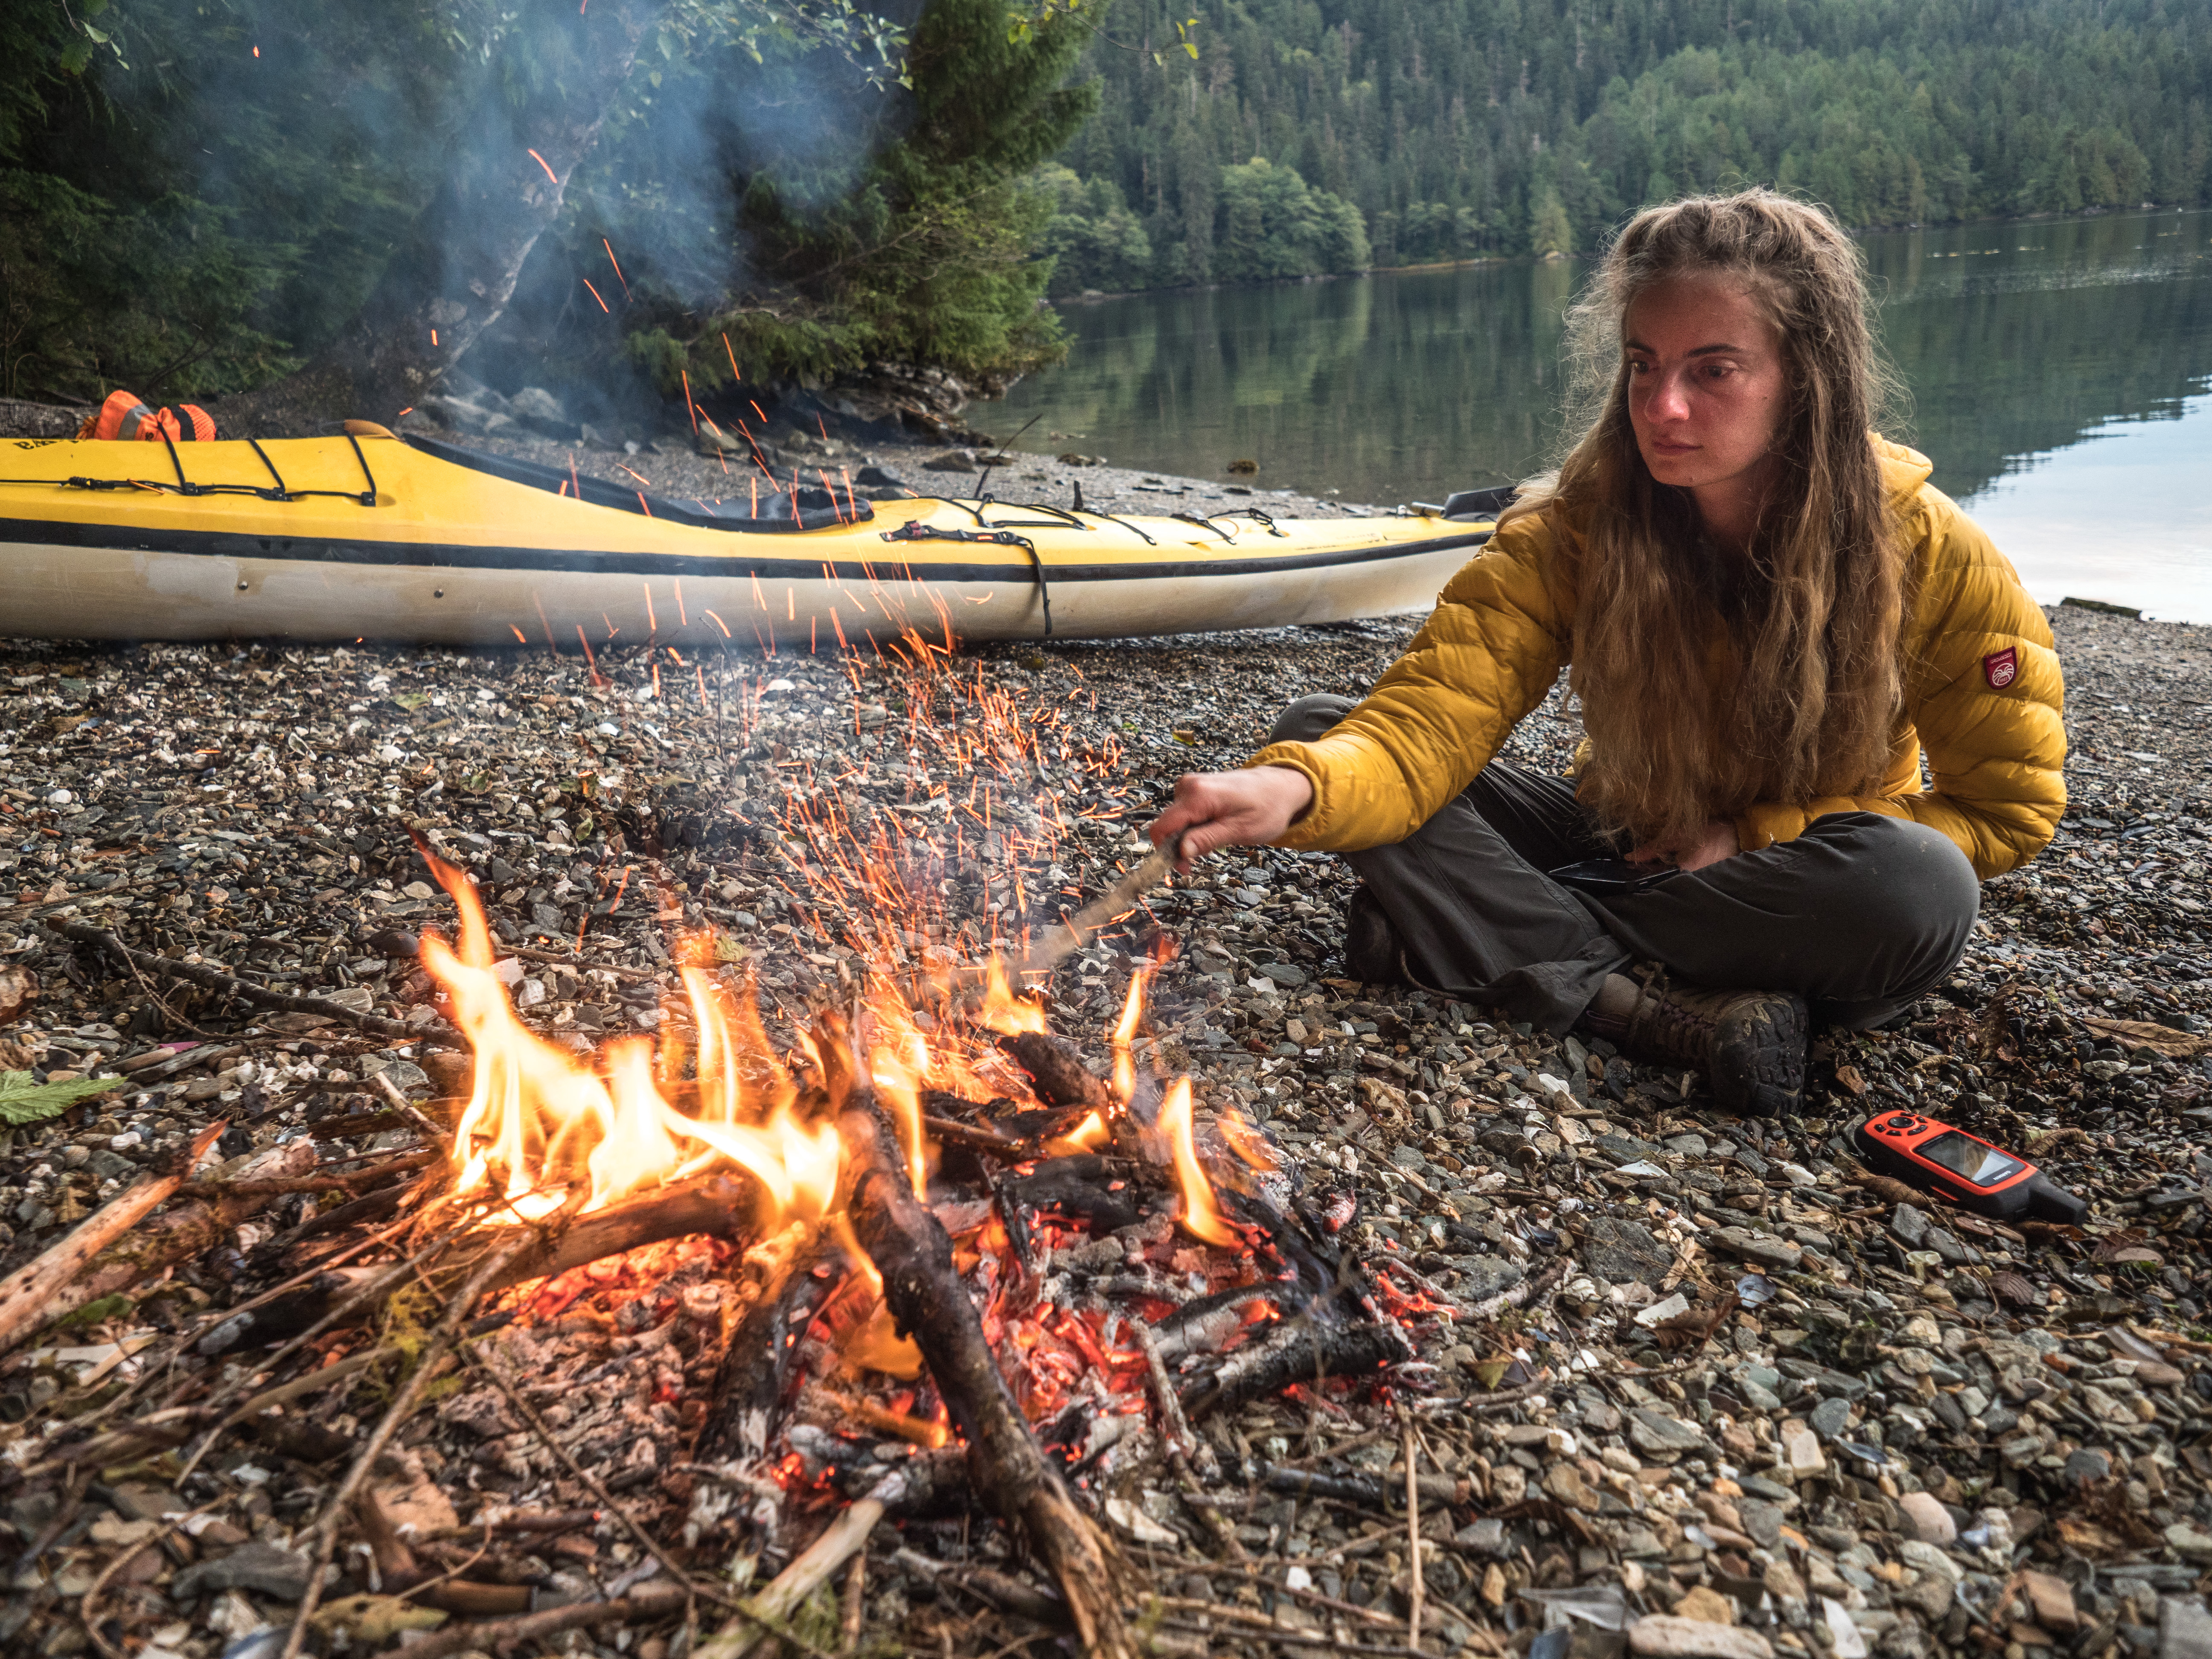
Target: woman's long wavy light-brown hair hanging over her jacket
point(1808, 620)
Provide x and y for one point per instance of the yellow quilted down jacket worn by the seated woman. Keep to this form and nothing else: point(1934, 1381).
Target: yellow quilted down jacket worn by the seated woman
point(1983, 696)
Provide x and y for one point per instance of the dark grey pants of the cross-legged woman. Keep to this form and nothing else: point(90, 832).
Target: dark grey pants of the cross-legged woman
point(1859, 915)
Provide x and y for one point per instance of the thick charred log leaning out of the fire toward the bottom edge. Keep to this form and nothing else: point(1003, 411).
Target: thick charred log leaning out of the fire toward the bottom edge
point(932, 1306)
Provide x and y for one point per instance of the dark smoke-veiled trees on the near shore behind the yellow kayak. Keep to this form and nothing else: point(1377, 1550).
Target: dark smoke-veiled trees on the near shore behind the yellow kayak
point(634, 198)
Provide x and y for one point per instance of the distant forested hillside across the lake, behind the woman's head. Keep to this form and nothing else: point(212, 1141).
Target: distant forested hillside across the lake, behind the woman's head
point(1448, 129)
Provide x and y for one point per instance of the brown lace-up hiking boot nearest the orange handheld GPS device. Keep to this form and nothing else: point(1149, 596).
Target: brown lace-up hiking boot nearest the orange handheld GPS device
point(1751, 1045)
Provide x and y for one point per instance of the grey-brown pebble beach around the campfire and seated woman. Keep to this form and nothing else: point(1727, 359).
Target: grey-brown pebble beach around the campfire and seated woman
point(1786, 1406)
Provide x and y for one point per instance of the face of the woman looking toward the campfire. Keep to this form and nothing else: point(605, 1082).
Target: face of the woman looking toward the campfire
point(1707, 390)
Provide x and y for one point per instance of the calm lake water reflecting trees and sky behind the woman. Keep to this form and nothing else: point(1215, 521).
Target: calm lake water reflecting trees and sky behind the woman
point(2060, 377)
